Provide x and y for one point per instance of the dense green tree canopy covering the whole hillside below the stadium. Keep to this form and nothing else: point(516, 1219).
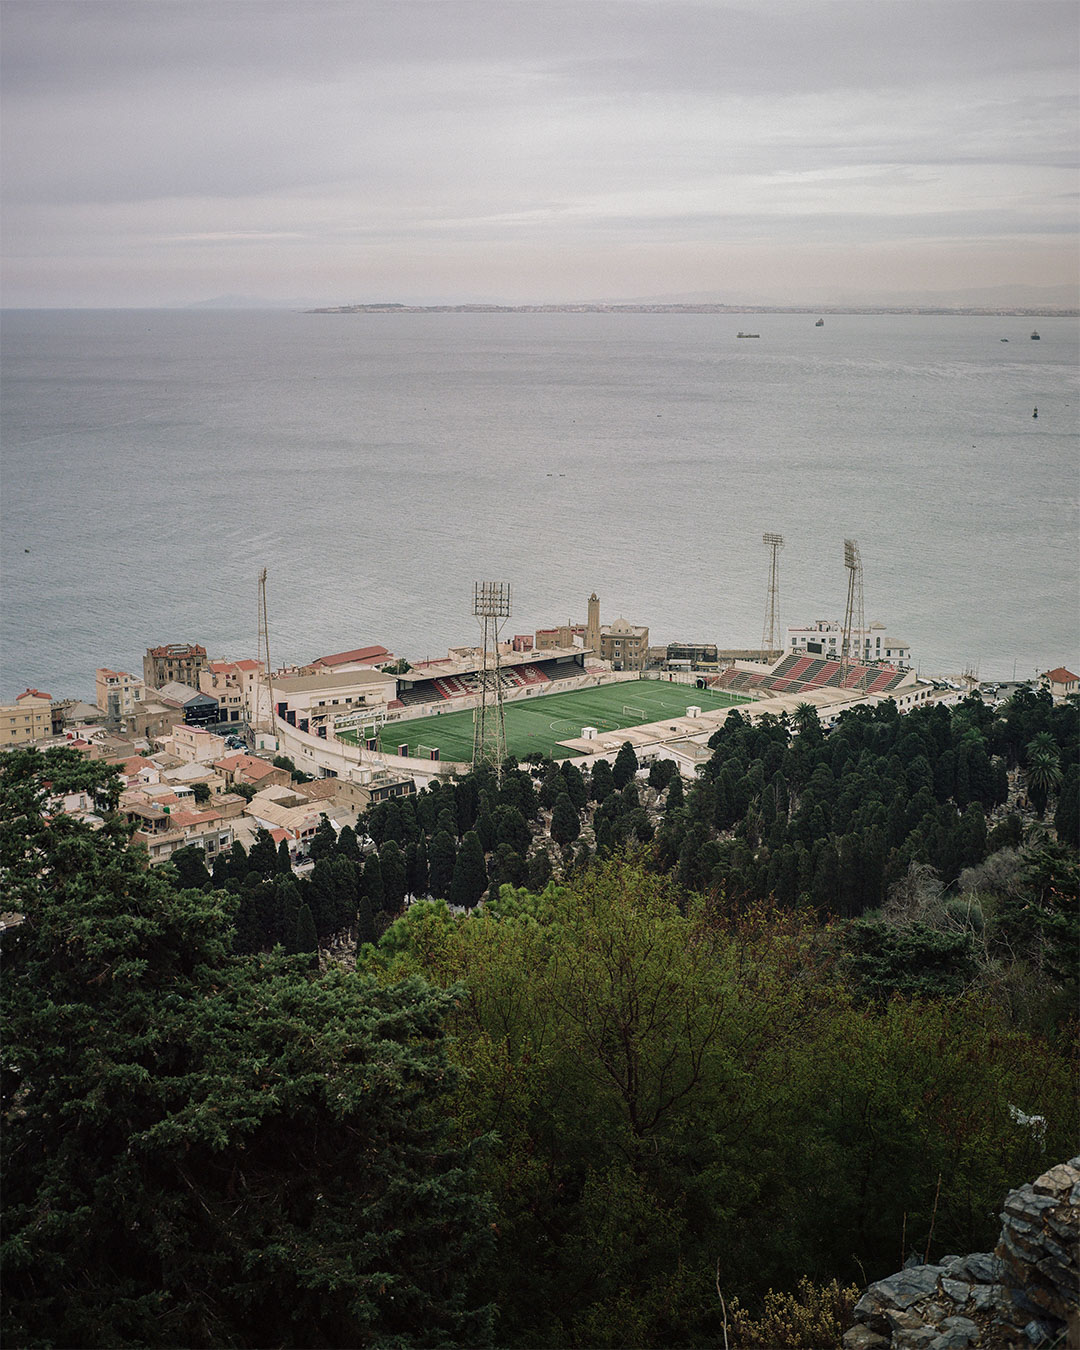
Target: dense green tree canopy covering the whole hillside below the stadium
point(545, 1059)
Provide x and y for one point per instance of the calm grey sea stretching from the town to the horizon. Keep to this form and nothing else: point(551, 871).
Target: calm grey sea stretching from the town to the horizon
point(153, 462)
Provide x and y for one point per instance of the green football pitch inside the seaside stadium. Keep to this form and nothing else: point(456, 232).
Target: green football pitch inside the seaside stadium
point(542, 722)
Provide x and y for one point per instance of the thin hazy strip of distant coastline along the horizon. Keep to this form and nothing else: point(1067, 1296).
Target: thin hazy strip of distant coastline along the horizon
point(992, 311)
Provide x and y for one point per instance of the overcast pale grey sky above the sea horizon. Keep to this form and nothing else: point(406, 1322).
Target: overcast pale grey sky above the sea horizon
point(165, 152)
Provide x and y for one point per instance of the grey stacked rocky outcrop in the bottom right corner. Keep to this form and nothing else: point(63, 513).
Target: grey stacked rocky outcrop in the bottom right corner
point(1024, 1294)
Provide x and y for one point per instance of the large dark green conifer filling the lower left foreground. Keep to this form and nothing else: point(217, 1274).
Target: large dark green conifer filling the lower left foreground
point(207, 1150)
